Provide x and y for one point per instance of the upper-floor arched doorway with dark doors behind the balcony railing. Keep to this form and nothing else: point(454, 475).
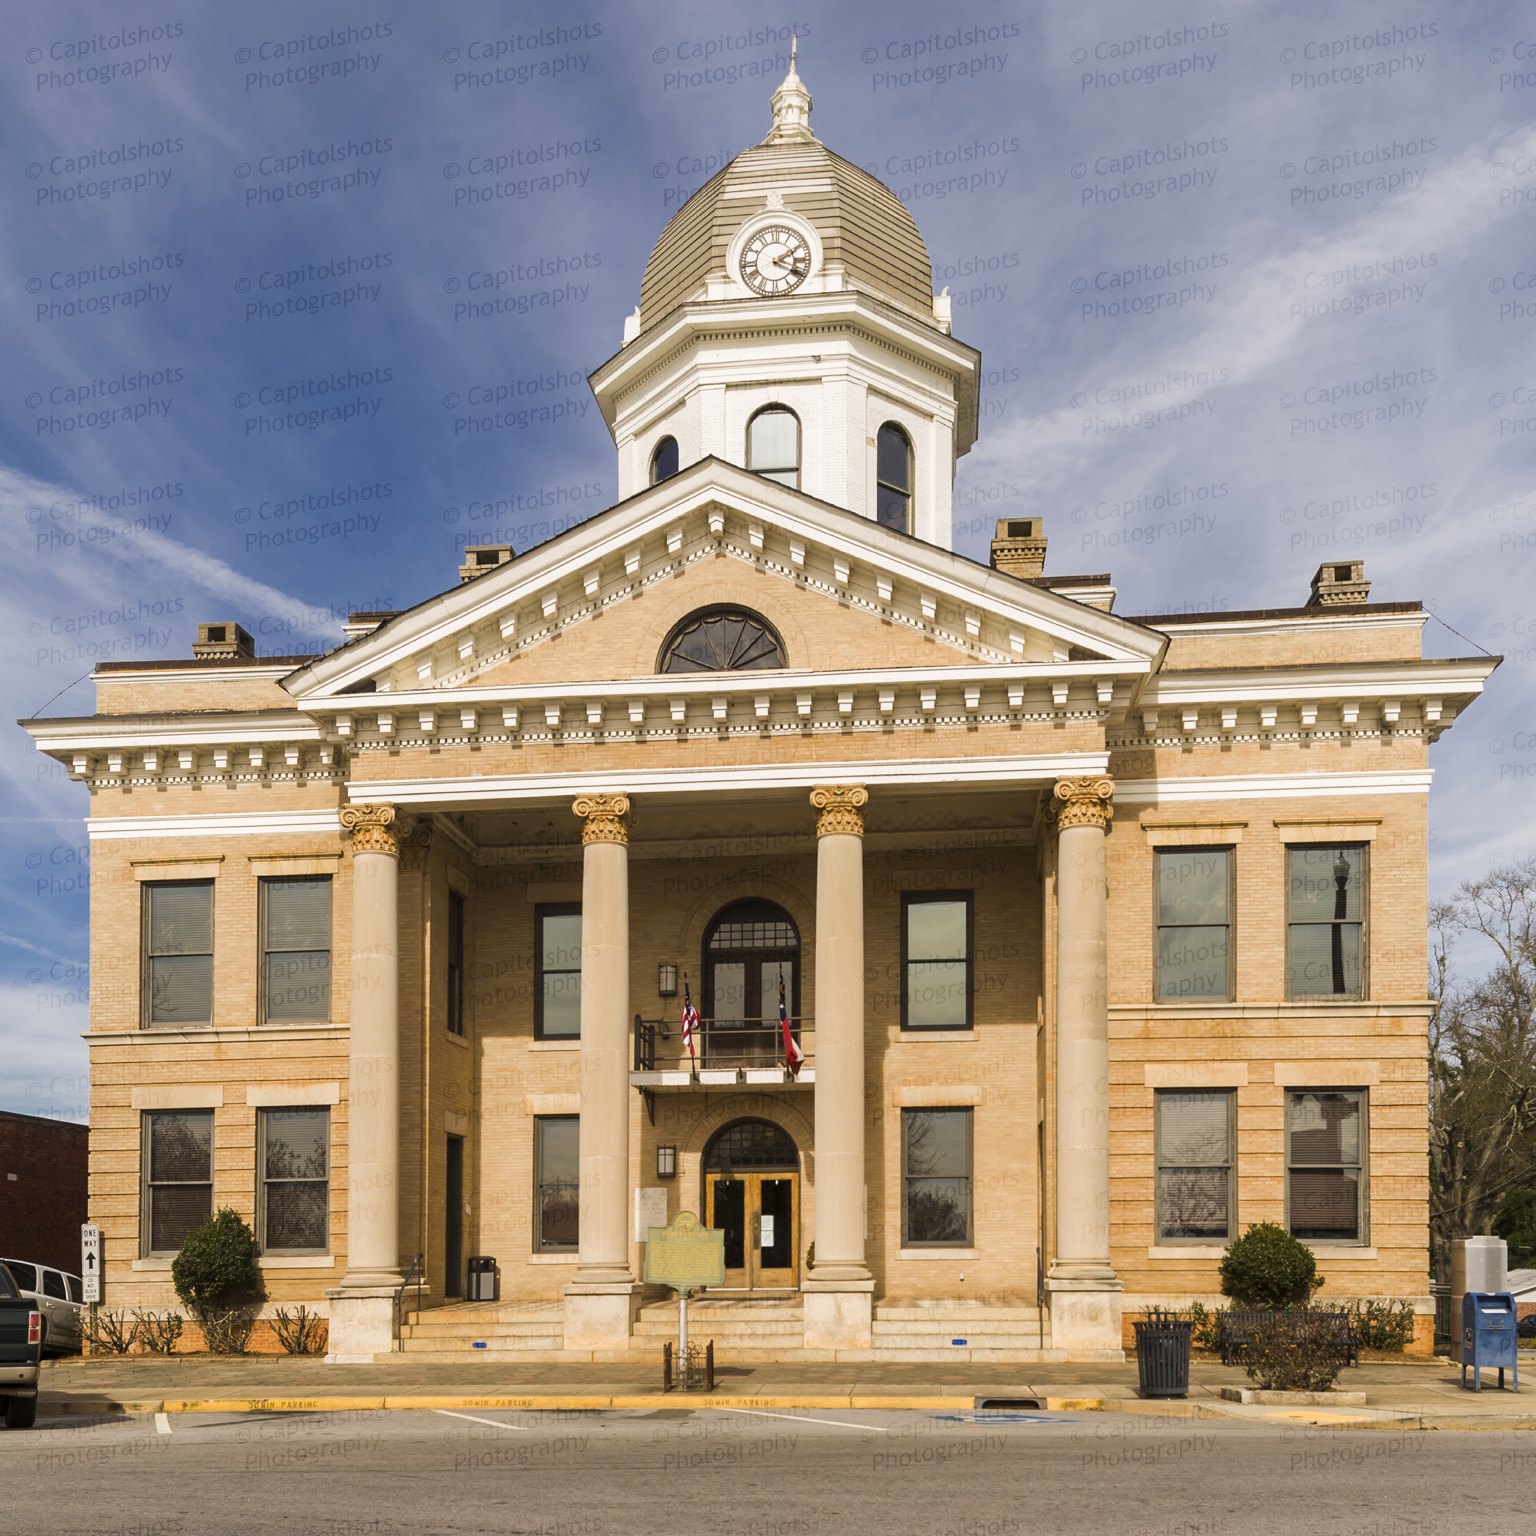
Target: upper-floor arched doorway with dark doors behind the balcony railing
point(749, 950)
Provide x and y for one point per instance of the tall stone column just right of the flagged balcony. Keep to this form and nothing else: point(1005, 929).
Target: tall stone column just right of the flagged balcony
point(839, 1289)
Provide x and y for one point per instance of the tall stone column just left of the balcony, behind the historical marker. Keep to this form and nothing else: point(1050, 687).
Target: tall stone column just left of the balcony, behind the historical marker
point(600, 1299)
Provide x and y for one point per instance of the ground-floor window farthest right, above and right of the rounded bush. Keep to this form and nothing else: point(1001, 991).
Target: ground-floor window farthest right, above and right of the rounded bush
point(1325, 1165)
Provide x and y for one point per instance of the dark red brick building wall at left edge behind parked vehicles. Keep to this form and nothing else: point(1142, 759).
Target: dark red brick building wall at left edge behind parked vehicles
point(42, 1190)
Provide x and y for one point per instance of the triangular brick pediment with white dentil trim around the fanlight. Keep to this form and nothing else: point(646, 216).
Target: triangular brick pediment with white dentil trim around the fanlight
point(847, 594)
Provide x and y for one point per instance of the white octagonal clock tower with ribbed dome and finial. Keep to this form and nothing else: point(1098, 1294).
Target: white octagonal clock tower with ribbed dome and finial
point(789, 325)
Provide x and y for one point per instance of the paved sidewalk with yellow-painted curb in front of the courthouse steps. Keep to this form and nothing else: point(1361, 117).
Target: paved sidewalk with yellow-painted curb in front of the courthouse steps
point(207, 1385)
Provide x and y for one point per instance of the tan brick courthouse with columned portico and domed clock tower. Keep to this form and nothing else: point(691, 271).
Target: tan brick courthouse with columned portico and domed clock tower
point(1096, 939)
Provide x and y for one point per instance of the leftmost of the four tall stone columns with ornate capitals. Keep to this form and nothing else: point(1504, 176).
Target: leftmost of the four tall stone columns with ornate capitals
point(362, 1319)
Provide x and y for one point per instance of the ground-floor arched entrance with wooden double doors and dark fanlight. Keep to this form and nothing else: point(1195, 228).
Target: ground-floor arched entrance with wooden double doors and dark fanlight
point(752, 1191)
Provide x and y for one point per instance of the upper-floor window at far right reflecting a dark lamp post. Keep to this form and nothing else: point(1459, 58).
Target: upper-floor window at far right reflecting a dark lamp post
point(1326, 921)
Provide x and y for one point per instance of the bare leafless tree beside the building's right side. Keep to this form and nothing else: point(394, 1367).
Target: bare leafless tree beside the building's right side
point(1483, 1056)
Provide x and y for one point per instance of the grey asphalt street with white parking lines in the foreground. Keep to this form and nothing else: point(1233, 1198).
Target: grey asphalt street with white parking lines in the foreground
point(758, 1474)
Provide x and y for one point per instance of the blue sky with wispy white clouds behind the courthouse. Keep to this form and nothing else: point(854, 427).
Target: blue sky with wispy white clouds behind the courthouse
point(1256, 288)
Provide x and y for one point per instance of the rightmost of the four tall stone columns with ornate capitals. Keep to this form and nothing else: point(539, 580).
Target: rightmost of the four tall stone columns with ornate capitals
point(1085, 1291)
